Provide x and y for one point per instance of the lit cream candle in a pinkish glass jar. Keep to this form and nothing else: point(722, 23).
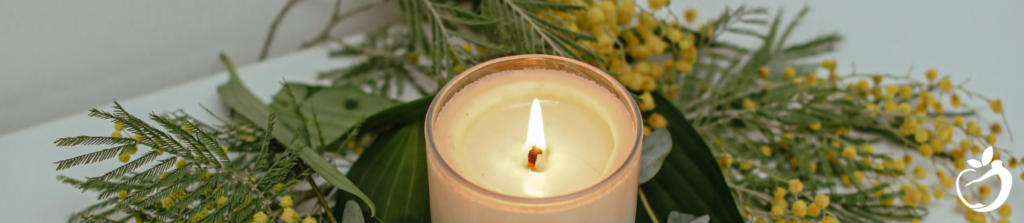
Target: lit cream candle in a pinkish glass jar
point(535, 139)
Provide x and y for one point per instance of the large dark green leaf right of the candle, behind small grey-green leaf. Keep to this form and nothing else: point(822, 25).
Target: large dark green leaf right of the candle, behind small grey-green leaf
point(691, 181)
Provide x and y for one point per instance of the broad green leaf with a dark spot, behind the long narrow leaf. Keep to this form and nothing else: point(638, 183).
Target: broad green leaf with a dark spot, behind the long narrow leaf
point(337, 110)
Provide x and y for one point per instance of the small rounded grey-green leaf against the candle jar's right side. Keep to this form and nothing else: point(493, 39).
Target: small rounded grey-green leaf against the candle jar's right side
point(656, 147)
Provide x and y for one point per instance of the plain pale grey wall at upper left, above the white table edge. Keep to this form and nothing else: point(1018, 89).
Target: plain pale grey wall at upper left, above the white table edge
point(61, 58)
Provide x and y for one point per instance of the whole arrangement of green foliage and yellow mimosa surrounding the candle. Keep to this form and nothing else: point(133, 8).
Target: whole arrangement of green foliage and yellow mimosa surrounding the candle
point(788, 145)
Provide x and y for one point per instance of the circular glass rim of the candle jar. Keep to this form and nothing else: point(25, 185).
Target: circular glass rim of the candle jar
point(617, 90)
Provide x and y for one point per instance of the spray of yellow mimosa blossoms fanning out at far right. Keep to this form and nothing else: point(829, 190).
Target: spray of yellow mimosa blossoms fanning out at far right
point(929, 120)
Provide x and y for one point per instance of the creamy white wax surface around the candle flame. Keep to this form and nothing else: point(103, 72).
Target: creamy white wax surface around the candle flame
point(482, 133)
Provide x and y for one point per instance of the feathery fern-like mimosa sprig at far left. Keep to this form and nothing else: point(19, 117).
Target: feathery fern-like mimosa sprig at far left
point(196, 181)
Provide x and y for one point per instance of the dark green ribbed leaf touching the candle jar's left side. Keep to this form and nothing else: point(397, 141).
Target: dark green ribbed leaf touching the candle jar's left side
point(394, 172)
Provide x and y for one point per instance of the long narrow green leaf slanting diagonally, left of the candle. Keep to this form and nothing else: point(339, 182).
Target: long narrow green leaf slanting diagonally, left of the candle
point(238, 98)
